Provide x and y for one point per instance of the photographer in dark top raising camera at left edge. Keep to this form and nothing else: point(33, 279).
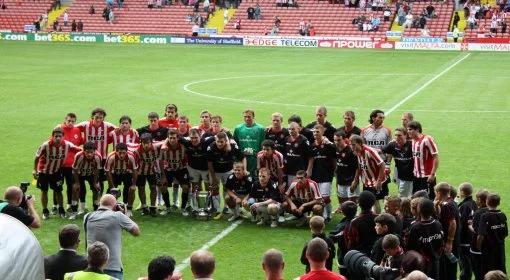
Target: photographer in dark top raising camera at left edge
point(11, 206)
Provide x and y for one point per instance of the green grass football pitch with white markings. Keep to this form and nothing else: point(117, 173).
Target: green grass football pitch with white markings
point(461, 99)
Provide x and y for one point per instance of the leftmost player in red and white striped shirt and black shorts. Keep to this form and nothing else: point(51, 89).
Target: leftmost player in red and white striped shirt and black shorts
point(48, 162)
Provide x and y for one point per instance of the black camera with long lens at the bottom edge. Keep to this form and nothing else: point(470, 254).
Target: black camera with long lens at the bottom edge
point(362, 267)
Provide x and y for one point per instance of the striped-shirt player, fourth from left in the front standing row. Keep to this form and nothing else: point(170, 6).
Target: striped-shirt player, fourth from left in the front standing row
point(149, 171)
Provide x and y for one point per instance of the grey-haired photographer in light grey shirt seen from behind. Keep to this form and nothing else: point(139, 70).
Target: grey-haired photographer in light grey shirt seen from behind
point(106, 225)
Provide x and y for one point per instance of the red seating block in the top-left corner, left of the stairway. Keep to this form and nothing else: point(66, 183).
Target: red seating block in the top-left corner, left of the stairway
point(21, 12)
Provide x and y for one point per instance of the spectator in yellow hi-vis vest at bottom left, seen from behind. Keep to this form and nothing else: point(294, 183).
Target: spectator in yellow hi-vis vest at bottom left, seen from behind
point(97, 258)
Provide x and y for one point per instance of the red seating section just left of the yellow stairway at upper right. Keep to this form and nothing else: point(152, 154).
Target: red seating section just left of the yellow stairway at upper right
point(438, 27)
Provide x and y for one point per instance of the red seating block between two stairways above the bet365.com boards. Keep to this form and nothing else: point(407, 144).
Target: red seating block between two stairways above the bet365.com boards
point(134, 17)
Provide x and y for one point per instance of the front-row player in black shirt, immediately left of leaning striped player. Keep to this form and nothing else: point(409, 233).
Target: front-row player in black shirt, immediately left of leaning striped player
point(346, 166)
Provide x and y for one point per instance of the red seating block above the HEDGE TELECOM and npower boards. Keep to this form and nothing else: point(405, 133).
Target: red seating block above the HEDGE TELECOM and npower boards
point(328, 19)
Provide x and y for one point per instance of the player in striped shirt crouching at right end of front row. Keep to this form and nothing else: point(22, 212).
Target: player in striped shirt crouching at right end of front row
point(302, 197)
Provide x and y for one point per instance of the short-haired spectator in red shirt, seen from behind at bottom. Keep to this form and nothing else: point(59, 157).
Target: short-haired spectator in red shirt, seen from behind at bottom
point(317, 253)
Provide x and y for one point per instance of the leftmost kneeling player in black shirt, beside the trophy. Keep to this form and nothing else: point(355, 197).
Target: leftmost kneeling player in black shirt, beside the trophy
point(238, 187)
